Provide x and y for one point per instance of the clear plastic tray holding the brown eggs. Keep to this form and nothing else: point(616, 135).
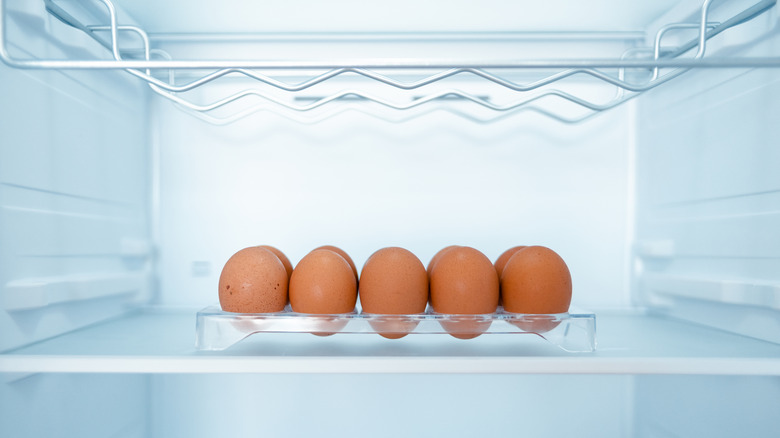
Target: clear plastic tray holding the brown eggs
point(572, 332)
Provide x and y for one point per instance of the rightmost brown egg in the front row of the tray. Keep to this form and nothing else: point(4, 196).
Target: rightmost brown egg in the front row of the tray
point(536, 280)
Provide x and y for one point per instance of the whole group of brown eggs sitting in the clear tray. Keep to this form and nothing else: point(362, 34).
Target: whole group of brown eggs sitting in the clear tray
point(393, 281)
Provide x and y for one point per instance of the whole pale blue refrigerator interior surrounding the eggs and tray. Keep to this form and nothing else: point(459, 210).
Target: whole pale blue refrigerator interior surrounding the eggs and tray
point(120, 205)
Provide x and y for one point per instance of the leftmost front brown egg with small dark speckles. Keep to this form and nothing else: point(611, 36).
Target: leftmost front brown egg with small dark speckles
point(253, 281)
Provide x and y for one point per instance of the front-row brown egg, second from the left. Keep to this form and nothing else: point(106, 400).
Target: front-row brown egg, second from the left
point(323, 283)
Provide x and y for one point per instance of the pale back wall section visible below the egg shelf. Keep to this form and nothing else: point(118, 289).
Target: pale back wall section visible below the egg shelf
point(389, 406)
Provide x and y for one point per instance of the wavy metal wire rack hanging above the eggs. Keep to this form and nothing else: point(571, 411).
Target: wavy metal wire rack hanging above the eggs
point(652, 59)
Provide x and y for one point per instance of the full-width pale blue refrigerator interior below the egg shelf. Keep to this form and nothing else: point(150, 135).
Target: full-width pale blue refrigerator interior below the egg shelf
point(388, 406)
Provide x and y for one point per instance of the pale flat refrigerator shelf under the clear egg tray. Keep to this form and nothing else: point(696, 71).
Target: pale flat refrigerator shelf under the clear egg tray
point(159, 341)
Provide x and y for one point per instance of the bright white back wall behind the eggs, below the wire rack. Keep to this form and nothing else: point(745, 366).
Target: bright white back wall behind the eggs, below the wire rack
point(362, 183)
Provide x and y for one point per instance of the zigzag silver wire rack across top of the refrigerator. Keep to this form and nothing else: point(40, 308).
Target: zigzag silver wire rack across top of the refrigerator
point(169, 89)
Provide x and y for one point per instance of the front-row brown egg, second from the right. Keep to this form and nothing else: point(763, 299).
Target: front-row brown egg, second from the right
point(464, 282)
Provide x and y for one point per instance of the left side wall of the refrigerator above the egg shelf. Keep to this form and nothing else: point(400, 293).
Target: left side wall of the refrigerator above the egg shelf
point(74, 245)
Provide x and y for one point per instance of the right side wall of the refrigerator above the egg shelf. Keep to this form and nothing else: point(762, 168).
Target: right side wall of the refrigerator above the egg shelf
point(708, 191)
